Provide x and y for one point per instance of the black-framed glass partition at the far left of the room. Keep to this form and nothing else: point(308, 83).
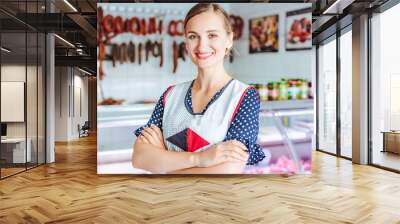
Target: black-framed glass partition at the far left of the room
point(22, 68)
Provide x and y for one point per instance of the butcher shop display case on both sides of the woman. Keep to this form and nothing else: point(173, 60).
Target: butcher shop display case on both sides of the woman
point(285, 135)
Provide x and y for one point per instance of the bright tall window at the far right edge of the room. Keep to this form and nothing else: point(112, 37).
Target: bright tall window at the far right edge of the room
point(385, 89)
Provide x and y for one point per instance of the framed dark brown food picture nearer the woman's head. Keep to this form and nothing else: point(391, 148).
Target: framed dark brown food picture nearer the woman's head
point(264, 34)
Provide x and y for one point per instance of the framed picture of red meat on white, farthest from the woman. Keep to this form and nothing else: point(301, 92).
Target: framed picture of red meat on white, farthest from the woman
point(298, 29)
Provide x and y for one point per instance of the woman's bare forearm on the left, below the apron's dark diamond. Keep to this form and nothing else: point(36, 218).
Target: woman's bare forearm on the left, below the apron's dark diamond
point(157, 160)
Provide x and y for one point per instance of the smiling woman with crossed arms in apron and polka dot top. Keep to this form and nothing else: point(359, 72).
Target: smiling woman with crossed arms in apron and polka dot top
point(210, 124)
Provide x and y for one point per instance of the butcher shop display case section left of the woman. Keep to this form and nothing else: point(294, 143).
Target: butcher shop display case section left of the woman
point(115, 127)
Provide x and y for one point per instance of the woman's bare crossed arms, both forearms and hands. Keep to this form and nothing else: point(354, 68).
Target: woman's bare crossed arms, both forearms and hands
point(151, 154)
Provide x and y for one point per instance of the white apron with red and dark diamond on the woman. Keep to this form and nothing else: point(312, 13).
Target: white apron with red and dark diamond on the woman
point(183, 131)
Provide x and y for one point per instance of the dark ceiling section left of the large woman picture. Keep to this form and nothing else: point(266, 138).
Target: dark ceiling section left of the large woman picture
point(72, 20)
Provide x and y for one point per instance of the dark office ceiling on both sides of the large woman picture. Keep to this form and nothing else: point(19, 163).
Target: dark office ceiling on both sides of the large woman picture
point(76, 23)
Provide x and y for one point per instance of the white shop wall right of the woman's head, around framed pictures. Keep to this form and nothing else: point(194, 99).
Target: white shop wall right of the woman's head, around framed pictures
point(271, 66)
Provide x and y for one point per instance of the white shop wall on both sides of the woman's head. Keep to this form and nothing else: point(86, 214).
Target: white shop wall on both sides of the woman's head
point(147, 81)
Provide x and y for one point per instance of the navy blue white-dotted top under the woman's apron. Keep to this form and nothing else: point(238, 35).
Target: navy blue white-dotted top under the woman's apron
point(244, 126)
